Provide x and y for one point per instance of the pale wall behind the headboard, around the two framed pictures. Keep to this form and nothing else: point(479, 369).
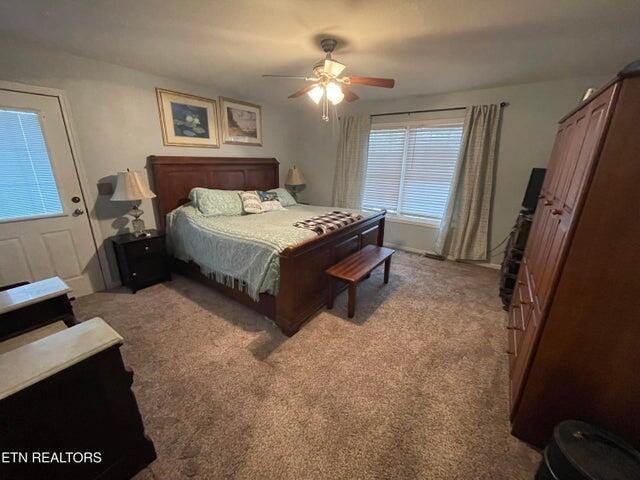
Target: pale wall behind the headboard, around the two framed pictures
point(115, 119)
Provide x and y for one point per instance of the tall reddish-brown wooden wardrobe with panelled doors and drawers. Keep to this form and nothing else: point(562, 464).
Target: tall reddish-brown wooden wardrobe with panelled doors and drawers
point(574, 319)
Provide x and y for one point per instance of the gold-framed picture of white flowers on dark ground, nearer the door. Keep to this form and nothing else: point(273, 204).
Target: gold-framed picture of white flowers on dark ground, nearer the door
point(187, 120)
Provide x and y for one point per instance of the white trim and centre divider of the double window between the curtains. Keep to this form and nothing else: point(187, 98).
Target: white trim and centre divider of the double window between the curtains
point(395, 217)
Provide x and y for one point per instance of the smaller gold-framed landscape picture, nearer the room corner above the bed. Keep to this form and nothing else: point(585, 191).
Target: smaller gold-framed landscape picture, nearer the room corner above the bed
point(241, 122)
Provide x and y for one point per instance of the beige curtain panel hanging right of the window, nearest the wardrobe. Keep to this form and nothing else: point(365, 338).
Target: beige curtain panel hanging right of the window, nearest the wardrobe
point(464, 230)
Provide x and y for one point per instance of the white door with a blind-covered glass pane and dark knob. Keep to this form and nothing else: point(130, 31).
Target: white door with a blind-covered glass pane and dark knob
point(44, 228)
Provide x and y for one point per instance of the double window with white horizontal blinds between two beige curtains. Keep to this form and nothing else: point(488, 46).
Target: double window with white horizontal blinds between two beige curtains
point(410, 167)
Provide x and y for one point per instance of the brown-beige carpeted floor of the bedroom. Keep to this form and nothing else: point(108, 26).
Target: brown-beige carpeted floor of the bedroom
point(415, 386)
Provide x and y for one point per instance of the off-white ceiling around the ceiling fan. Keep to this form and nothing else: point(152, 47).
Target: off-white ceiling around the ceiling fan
point(427, 46)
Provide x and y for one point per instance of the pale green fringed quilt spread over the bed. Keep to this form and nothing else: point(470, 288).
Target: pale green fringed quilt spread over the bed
point(243, 247)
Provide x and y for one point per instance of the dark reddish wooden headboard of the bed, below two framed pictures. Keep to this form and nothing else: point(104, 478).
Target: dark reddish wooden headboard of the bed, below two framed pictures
point(174, 177)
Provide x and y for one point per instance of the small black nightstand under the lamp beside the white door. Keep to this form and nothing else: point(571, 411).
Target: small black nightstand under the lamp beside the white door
point(142, 261)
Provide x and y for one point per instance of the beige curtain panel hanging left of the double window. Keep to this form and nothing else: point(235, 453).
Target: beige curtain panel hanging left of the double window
point(351, 160)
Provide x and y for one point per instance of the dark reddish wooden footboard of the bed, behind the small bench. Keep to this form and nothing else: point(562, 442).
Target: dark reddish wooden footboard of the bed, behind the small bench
point(304, 287)
